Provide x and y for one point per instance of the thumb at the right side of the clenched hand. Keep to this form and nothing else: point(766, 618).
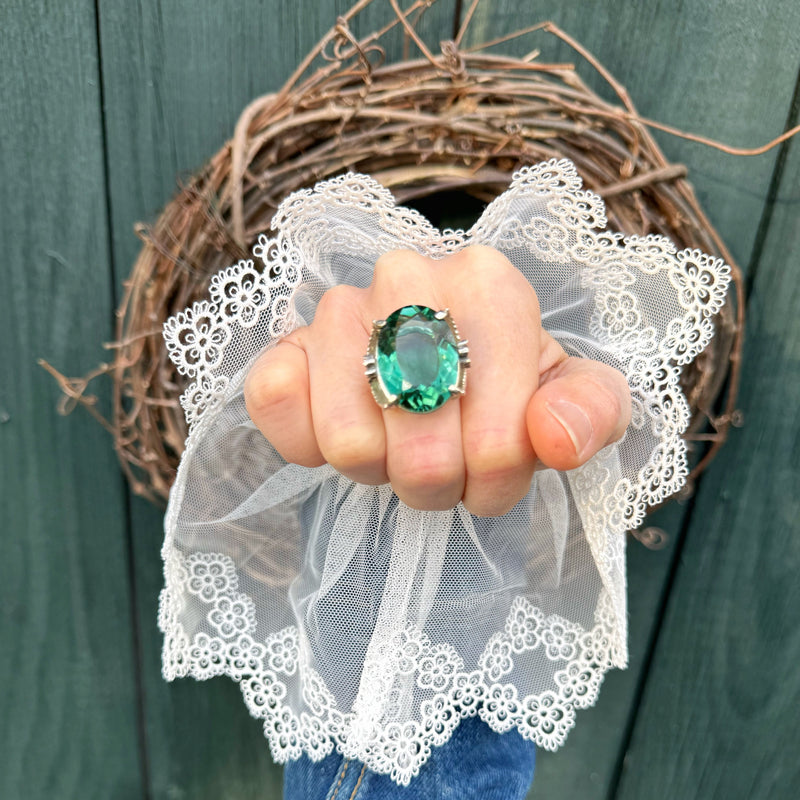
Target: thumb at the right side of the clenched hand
point(580, 407)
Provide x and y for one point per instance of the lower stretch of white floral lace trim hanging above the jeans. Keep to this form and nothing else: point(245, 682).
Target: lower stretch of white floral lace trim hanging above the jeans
point(264, 668)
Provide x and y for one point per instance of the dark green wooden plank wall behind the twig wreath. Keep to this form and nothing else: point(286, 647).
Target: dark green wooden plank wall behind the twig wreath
point(102, 104)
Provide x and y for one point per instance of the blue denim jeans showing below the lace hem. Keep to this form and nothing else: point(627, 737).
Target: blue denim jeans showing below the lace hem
point(475, 763)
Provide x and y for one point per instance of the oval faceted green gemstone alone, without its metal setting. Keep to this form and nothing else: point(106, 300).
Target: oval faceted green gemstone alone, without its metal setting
point(417, 359)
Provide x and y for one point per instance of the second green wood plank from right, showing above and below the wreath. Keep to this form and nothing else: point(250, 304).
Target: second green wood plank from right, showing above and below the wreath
point(722, 69)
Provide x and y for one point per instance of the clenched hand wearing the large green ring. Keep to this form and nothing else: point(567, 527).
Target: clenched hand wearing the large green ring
point(526, 400)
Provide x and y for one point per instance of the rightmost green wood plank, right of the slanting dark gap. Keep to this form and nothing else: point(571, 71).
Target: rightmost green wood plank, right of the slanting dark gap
point(719, 716)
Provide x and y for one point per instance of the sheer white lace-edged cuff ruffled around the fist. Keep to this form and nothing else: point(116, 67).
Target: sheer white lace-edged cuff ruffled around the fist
point(352, 621)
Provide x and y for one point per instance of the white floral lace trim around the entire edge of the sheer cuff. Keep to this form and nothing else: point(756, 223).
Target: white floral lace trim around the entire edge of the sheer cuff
point(251, 306)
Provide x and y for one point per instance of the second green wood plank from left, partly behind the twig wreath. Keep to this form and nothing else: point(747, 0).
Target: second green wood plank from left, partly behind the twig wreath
point(176, 78)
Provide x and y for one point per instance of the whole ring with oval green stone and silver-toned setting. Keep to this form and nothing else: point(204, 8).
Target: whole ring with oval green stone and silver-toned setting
point(416, 359)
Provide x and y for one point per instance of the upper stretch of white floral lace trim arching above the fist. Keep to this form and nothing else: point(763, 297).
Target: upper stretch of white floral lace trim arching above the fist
point(206, 340)
